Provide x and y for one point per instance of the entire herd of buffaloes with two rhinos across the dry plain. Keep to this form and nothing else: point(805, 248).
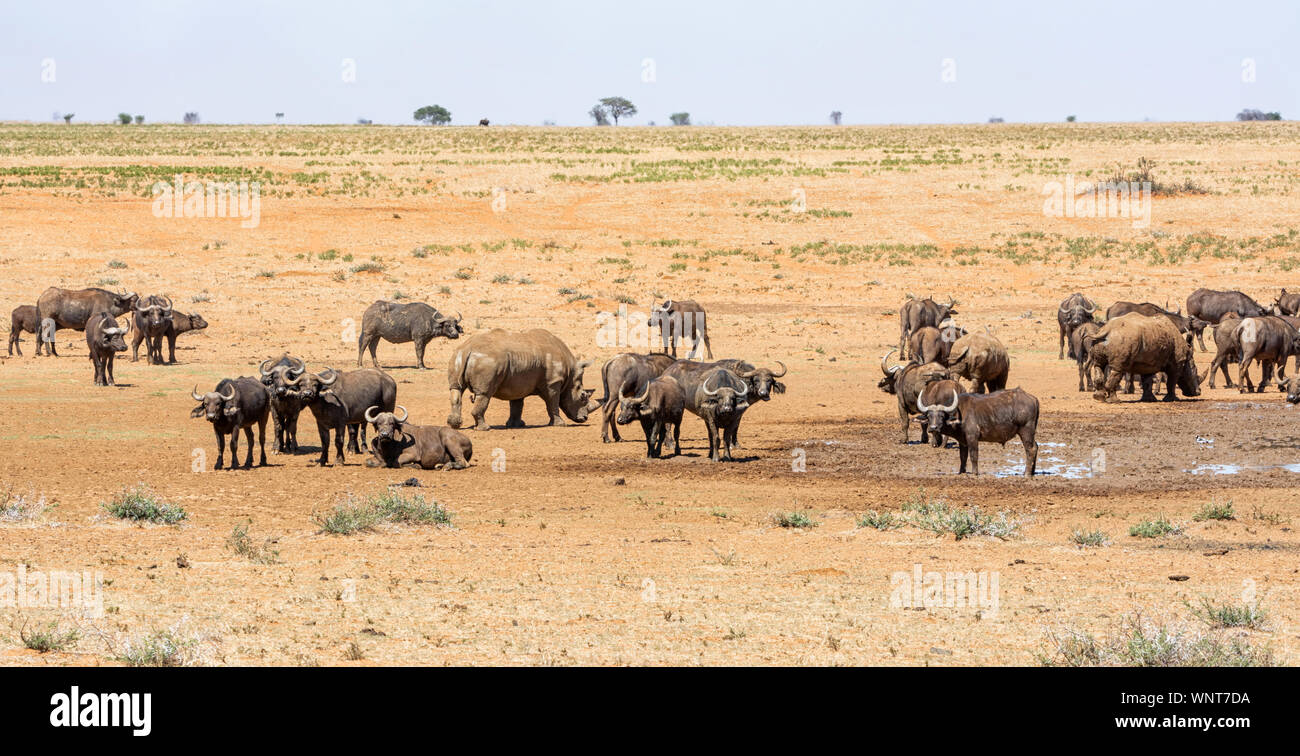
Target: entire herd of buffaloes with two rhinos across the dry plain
point(951, 381)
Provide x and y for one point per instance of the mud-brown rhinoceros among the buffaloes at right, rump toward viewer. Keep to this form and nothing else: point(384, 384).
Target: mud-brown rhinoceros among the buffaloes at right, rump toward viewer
point(1145, 346)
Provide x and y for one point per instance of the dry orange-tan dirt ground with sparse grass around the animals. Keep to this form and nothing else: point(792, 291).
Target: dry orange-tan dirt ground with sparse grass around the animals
point(579, 553)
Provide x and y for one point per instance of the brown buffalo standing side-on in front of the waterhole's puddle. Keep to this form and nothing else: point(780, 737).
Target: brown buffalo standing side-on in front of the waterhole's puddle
point(995, 418)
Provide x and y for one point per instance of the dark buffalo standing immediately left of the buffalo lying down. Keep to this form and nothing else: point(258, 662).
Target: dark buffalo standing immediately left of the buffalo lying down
point(340, 401)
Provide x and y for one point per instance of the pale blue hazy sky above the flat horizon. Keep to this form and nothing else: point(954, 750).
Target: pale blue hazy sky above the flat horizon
point(726, 62)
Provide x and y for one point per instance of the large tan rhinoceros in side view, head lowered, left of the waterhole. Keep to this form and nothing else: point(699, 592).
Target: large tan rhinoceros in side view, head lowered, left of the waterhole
point(514, 366)
